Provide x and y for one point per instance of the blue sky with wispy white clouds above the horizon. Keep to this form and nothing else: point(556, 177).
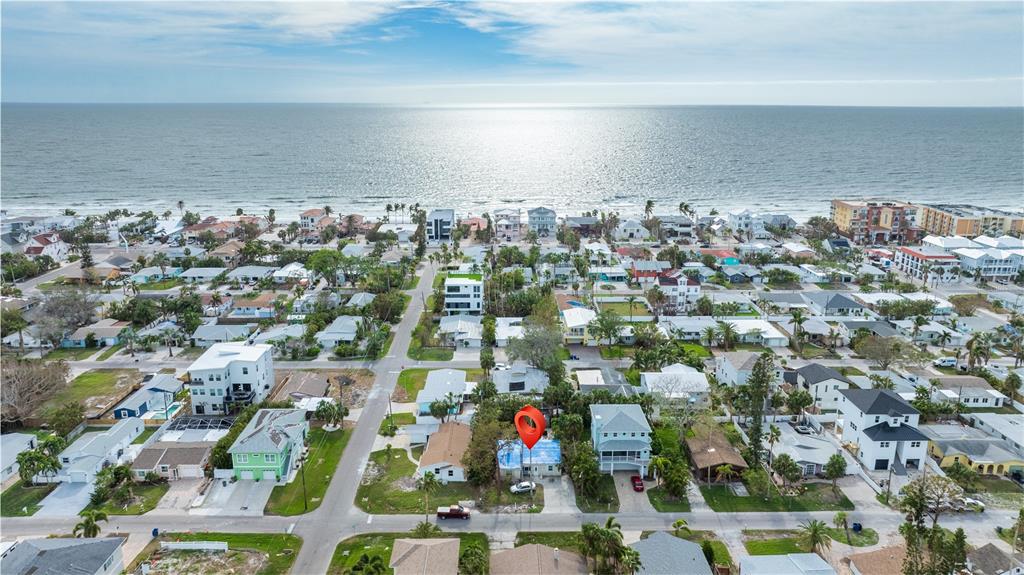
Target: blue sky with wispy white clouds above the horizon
point(497, 54)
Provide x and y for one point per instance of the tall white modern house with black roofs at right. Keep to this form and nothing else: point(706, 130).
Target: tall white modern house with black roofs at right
point(884, 429)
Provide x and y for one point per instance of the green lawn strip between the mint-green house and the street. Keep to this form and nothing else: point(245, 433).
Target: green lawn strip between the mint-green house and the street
point(325, 453)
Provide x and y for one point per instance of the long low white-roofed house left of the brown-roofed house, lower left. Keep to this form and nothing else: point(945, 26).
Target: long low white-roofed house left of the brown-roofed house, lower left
point(93, 452)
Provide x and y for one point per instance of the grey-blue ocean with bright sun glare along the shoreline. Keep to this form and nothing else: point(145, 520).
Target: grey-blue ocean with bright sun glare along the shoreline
point(219, 158)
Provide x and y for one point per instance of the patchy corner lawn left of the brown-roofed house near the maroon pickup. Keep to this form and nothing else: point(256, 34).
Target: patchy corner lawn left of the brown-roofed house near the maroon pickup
point(385, 498)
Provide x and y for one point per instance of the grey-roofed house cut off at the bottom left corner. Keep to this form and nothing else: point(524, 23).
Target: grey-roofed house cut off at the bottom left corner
point(54, 556)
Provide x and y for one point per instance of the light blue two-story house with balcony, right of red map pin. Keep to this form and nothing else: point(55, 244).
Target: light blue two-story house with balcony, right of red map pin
point(621, 436)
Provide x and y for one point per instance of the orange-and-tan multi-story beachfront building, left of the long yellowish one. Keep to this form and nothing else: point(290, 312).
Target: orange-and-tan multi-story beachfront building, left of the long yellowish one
point(877, 222)
